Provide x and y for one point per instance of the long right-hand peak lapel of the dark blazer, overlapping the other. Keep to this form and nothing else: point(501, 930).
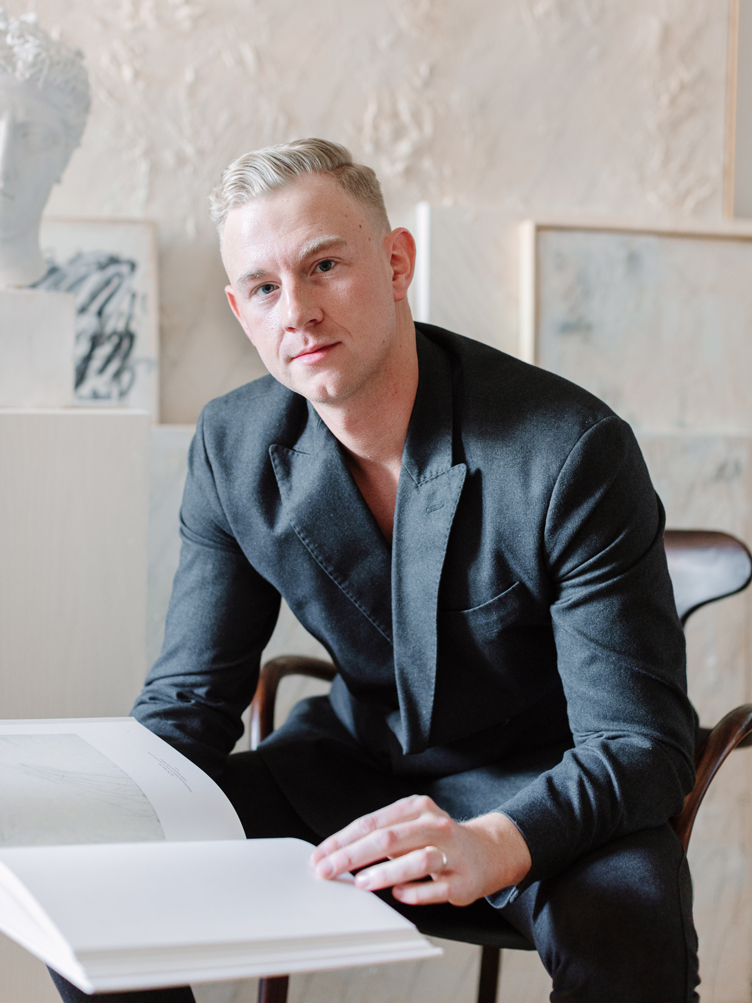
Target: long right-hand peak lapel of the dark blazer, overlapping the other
point(430, 489)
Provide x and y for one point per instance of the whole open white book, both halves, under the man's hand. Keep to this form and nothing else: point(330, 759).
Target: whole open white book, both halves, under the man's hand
point(123, 866)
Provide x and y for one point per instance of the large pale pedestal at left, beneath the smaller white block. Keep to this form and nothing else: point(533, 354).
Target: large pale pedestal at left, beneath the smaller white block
point(74, 524)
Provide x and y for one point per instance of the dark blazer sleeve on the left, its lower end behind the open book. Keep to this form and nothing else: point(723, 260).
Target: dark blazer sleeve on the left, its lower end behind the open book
point(221, 616)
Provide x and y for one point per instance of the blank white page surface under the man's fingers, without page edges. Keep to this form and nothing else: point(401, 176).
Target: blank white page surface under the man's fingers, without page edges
point(156, 895)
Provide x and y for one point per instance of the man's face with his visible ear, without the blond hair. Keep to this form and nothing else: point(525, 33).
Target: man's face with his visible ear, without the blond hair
point(315, 286)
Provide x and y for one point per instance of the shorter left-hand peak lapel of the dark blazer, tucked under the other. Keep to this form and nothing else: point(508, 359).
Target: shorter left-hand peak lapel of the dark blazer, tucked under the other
point(332, 521)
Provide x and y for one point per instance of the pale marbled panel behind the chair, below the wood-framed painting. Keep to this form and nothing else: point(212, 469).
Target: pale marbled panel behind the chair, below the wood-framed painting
point(705, 483)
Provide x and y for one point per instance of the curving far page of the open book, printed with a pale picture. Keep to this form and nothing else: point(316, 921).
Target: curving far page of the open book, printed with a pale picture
point(104, 781)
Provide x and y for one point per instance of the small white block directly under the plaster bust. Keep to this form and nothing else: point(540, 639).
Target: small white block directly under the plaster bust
point(38, 336)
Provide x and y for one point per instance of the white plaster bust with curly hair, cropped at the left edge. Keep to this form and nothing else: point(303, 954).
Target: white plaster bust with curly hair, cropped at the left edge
point(45, 101)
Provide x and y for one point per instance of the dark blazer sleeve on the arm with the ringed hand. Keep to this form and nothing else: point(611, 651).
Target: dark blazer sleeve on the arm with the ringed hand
point(621, 657)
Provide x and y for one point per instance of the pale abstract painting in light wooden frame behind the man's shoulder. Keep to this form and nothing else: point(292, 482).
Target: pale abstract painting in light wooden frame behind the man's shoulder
point(656, 323)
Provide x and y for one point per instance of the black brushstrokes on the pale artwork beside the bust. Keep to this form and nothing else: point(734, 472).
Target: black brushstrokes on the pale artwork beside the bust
point(107, 299)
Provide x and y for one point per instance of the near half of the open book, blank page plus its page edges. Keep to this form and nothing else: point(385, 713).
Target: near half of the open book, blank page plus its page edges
point(143, 915)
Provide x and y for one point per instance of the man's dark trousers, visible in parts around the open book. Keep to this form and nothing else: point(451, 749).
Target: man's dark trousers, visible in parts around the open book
point(615, 926)
